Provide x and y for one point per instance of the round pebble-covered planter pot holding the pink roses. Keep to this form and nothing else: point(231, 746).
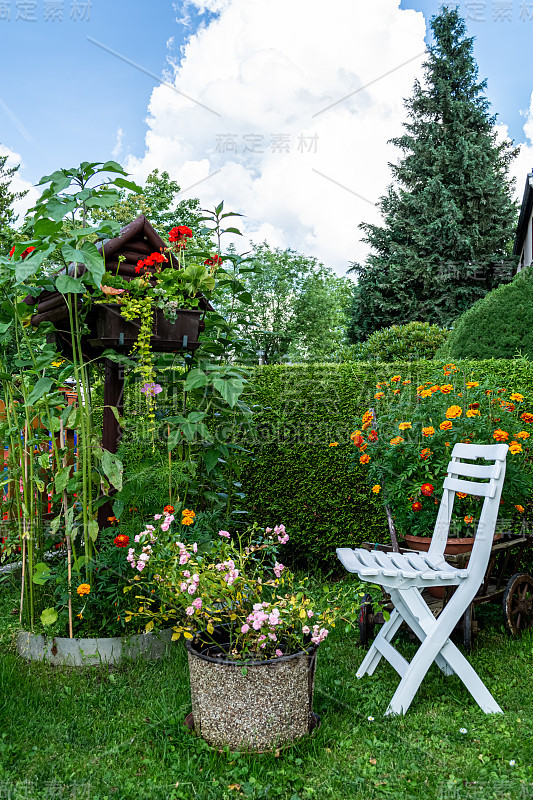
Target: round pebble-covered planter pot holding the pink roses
point(261, 706)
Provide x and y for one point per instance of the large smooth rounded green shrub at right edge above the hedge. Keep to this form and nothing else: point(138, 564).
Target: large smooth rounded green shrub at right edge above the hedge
point(500, 325)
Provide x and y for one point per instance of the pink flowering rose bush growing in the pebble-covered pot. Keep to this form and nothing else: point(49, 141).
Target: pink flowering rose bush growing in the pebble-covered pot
point(238, 585)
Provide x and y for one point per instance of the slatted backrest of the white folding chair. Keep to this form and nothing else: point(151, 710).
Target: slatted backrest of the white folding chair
point(482, 480)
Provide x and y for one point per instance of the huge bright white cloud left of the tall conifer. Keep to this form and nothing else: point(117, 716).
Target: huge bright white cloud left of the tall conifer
point(270, 71)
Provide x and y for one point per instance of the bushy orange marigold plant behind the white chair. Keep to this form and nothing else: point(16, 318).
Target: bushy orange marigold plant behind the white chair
point(407, 442)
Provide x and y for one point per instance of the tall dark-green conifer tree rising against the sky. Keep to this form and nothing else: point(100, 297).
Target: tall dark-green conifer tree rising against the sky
point(448, 217)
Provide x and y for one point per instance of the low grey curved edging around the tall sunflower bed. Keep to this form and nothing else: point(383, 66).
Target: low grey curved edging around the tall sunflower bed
point(90, 652)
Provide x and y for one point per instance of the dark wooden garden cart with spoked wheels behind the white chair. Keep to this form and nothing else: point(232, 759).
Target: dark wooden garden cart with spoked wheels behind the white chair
point(504, 582)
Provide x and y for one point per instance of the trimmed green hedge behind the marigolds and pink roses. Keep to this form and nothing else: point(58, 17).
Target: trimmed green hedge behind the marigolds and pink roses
point(314, 489)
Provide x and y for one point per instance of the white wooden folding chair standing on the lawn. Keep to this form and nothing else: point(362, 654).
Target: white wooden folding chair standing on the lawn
point(406, 575)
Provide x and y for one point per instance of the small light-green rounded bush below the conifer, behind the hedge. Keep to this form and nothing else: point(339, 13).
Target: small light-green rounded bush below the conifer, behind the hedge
point(410, 342)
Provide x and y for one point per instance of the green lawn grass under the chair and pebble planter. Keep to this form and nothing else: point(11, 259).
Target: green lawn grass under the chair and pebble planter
point(102, 734)
